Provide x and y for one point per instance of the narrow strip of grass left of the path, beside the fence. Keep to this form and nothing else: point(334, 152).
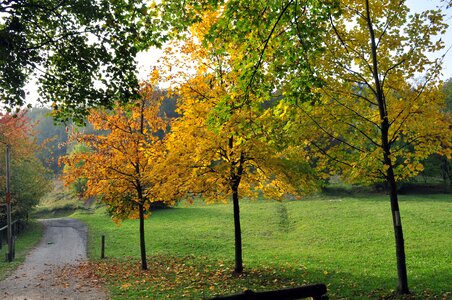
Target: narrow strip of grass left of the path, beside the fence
point(24, 243)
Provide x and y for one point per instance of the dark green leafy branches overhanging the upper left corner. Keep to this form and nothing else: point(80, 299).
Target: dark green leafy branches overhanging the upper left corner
point(81, 52)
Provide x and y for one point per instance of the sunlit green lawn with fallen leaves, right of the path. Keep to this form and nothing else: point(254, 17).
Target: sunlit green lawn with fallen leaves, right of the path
point(344, 242)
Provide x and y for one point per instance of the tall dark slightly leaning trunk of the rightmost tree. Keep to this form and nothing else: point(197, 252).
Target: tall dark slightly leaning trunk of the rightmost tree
point(402, 283)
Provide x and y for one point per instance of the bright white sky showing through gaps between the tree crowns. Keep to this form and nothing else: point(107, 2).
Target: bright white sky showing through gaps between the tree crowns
point(150, 58)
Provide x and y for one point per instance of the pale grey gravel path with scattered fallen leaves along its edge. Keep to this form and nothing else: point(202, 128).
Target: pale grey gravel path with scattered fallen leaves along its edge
point(50, 270)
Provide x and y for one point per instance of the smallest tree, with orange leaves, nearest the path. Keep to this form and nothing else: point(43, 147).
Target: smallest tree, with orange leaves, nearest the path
point(121, 166)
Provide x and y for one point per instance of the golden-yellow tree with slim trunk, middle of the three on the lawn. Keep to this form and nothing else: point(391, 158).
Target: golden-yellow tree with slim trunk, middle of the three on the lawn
point(218, 148)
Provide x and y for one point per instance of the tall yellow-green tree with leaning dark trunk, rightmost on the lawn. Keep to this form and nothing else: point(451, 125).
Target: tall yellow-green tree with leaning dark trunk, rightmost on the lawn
point(374, 121)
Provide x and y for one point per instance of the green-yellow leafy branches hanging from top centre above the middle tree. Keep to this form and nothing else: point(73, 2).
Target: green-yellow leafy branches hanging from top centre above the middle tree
point(276, 40)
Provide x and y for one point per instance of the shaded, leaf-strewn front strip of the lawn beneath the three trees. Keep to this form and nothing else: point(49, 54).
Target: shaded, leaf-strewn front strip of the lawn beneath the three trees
point(200, 277)
